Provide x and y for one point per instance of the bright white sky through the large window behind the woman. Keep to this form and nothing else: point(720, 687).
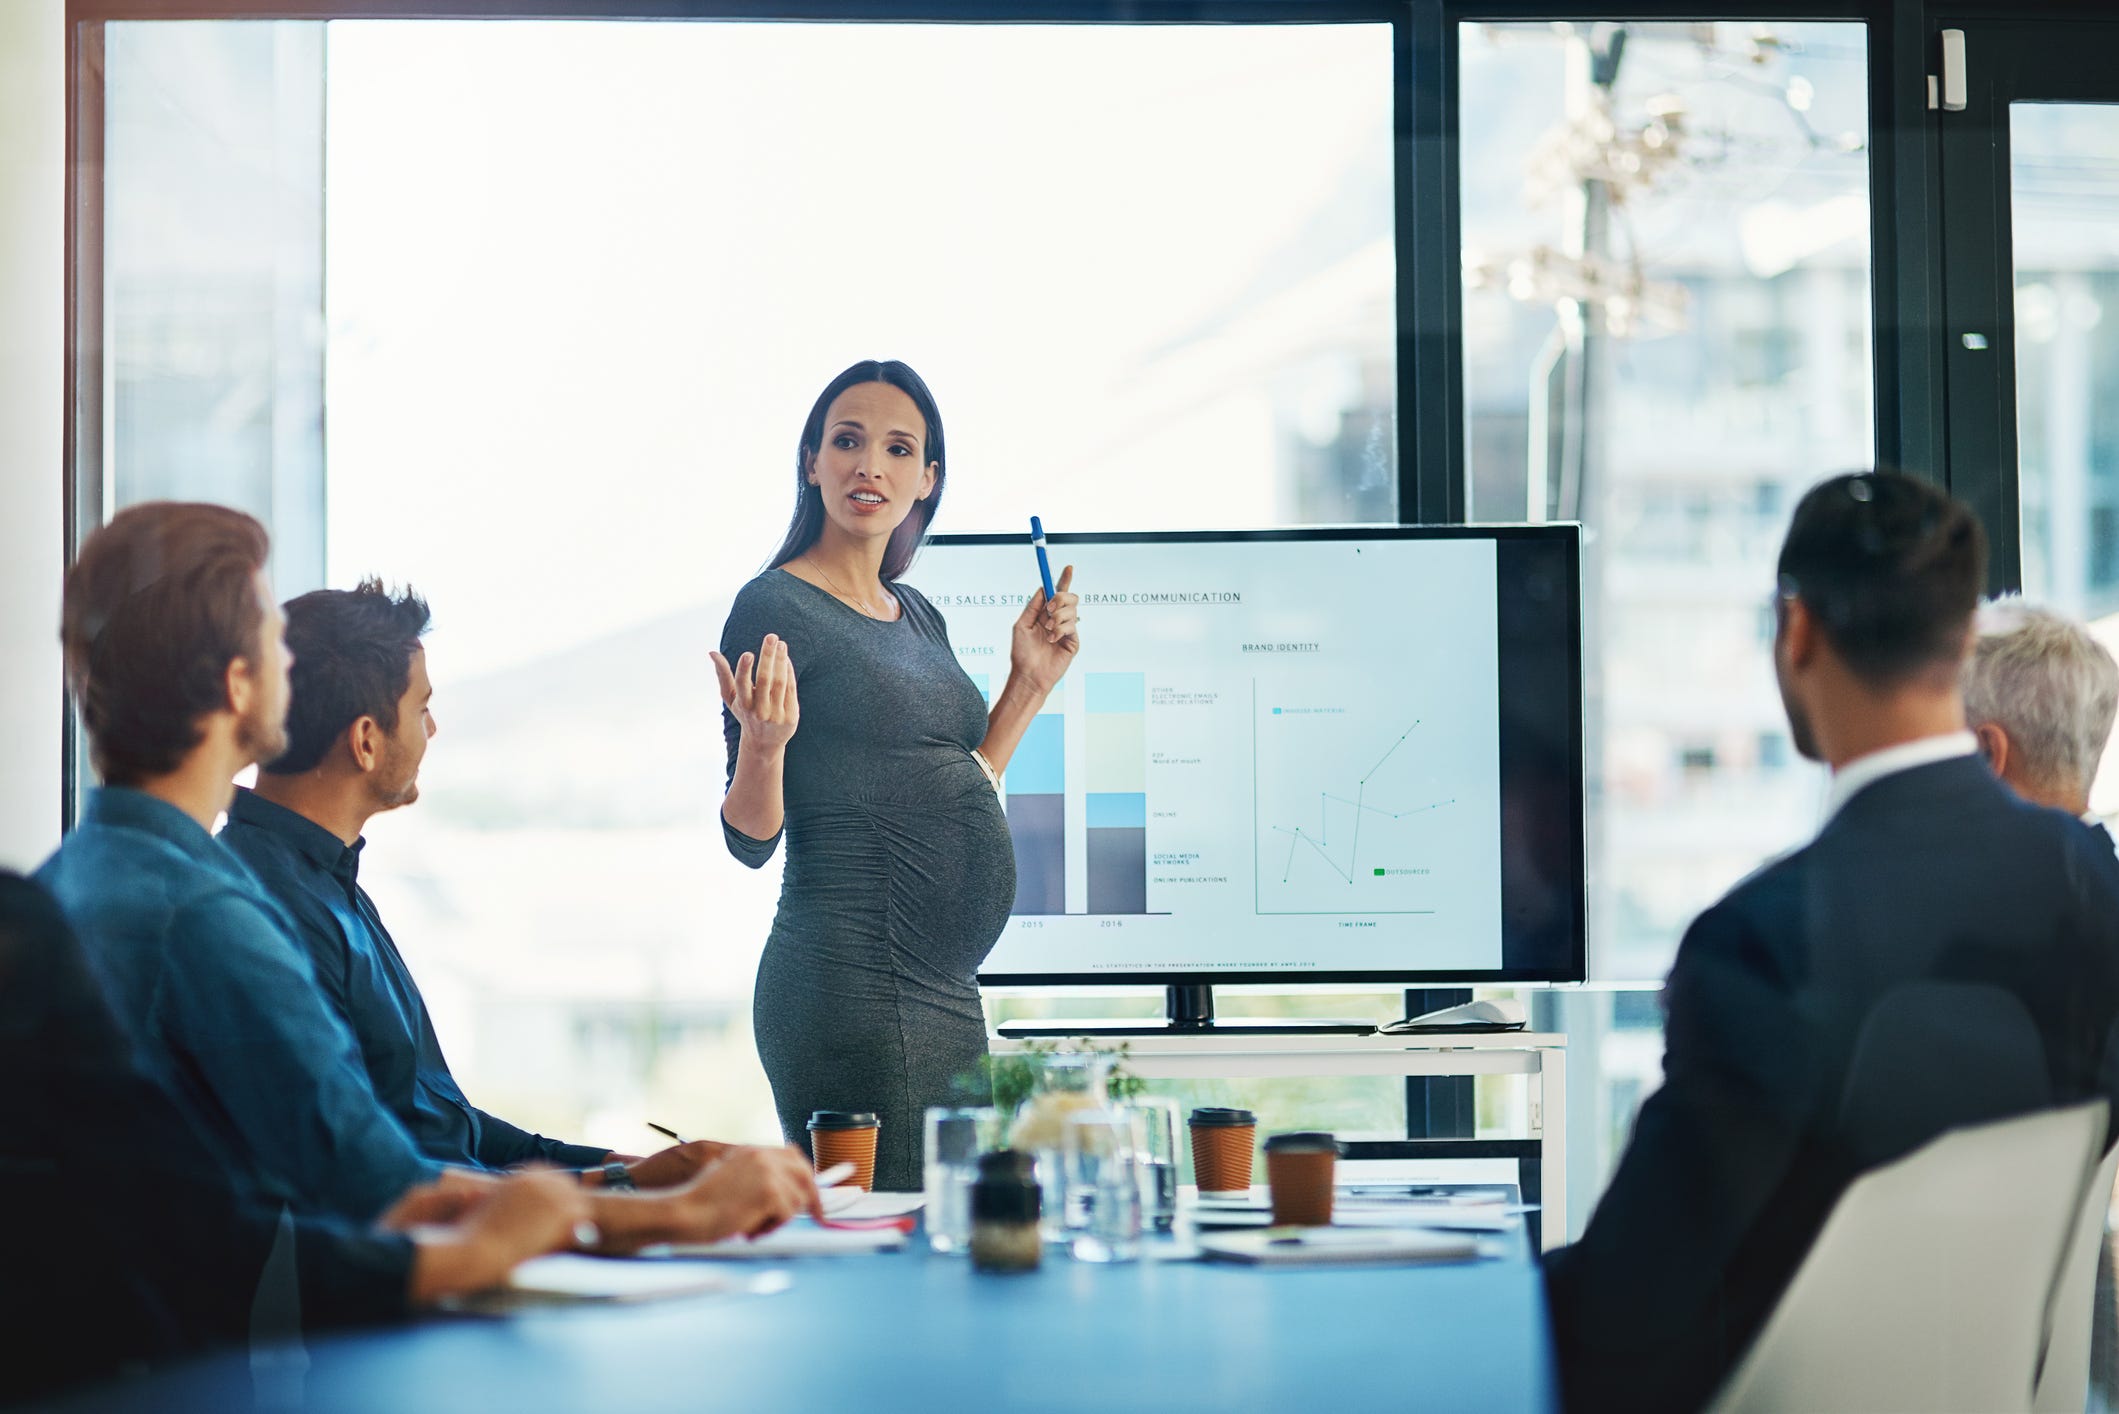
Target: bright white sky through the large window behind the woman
point(586, 279)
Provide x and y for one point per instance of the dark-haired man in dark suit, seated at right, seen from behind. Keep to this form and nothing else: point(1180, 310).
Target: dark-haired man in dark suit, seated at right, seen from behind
point(1925, 868)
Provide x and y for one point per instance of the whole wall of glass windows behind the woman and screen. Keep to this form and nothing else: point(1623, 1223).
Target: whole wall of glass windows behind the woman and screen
point(529, 315)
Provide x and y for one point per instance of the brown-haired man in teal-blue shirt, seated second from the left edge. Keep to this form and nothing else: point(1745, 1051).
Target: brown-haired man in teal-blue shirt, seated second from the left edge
point(177, 658)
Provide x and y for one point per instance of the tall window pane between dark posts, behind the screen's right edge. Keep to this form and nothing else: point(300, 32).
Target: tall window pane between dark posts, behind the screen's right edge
point(1667, 336)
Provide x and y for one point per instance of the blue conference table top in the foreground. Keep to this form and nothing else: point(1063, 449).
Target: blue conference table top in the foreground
point(908, 1330)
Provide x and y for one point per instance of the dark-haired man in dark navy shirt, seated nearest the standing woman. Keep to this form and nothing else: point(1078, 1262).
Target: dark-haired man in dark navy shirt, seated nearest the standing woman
point(359, 726)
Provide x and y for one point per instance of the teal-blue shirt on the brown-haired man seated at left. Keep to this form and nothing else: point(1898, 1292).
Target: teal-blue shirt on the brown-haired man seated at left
point(207, 976)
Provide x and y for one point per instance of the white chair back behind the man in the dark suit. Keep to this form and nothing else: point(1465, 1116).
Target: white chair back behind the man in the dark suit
point(1929, 1286)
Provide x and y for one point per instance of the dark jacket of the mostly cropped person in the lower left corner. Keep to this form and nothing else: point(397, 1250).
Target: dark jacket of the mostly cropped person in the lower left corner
point(126, 1237)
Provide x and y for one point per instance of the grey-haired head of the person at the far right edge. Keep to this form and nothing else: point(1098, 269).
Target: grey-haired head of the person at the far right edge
point(2040, 694)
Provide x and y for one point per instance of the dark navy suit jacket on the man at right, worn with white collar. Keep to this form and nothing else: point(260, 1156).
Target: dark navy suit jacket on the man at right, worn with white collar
point(1938, 872)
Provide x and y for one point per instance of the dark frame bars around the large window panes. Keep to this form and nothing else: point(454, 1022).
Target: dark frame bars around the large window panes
point(1908, 213)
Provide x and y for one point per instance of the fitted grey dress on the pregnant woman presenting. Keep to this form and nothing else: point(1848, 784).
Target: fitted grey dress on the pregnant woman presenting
point(900, 872)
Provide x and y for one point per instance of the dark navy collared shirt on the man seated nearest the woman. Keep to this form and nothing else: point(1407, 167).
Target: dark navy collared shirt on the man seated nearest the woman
point(317, 879)
